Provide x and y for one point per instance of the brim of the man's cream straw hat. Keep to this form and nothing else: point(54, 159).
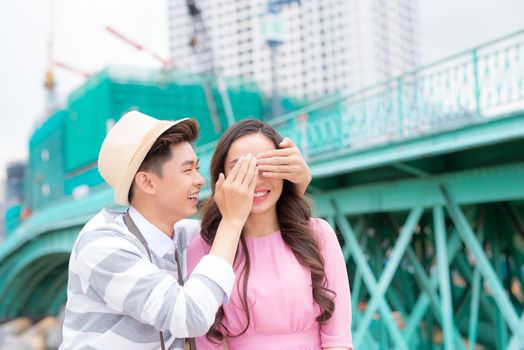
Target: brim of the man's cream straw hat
point(122, 190)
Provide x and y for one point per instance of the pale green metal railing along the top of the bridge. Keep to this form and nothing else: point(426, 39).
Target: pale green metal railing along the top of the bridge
point(468, 88)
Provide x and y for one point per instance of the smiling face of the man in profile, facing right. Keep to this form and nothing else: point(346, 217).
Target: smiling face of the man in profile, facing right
point(177, 189)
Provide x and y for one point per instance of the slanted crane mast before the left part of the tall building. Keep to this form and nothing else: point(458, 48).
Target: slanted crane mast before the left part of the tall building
point(200, 43)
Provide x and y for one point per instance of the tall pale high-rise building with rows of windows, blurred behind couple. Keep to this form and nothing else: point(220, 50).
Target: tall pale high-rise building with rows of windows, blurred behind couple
point(330, 46)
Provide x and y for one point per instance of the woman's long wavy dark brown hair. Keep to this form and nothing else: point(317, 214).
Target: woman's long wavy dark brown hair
point(293, 214)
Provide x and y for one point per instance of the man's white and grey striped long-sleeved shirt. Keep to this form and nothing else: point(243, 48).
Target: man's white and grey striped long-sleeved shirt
point(118, 299)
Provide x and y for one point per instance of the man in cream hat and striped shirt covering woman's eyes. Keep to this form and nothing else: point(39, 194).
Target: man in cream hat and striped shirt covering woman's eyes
point(126, 285)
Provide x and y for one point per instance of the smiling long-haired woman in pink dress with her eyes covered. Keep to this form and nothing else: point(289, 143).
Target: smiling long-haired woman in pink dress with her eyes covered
point(292, 289)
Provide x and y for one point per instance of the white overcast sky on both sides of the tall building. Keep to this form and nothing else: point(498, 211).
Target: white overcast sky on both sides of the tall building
point(445, 27)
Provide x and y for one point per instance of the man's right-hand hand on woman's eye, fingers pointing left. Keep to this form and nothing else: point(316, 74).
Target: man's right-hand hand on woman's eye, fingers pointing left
point(285, 163)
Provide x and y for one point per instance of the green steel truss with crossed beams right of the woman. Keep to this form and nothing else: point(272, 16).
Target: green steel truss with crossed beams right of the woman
point(438, 269)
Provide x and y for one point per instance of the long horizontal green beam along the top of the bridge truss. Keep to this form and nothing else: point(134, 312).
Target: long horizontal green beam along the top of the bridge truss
point(499, 183)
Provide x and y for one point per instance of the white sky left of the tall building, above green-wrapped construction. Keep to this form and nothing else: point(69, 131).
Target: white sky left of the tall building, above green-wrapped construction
point(80, 41)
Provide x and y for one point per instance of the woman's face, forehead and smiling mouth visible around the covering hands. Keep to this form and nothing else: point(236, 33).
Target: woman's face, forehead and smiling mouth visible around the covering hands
point(267, 190)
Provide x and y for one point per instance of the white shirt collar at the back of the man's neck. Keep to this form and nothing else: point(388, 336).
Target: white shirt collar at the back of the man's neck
point(157, 240)
